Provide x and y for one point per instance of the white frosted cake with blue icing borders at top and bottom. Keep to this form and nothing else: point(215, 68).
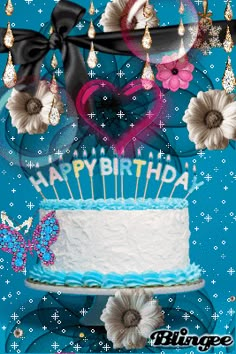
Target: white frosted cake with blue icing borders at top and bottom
point(119, 243)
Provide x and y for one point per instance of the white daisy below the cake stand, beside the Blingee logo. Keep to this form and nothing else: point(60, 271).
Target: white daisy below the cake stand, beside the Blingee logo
point(130, 317)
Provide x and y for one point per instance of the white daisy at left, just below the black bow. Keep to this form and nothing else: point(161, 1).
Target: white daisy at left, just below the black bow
point(30, 114)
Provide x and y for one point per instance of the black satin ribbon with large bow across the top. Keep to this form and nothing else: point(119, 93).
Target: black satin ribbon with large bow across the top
point(31, 47)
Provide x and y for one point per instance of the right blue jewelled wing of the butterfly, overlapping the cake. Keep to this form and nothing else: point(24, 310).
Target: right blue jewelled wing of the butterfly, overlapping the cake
point(45, 234)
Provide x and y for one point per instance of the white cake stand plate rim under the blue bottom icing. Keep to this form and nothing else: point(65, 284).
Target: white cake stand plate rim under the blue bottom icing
point(156, 290)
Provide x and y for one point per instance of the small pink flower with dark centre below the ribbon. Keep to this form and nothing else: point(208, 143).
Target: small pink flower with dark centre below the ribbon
point(175, 73)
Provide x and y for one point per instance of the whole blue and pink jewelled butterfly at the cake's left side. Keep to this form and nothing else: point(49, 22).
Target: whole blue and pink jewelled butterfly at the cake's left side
point(45, 234)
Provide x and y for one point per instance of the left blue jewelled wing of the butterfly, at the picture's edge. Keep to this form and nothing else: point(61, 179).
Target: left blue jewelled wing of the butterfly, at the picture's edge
point(11, 241)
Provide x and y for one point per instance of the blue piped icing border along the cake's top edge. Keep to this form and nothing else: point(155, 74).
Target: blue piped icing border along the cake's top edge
point(115, 204)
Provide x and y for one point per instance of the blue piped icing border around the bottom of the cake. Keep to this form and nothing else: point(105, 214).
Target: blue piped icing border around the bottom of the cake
point(113, 280)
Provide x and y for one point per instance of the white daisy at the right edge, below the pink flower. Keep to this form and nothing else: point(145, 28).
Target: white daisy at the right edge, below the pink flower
point(211, 119)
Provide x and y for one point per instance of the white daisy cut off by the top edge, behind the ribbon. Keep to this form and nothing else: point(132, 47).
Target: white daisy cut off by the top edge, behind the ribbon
point(115, 11)
